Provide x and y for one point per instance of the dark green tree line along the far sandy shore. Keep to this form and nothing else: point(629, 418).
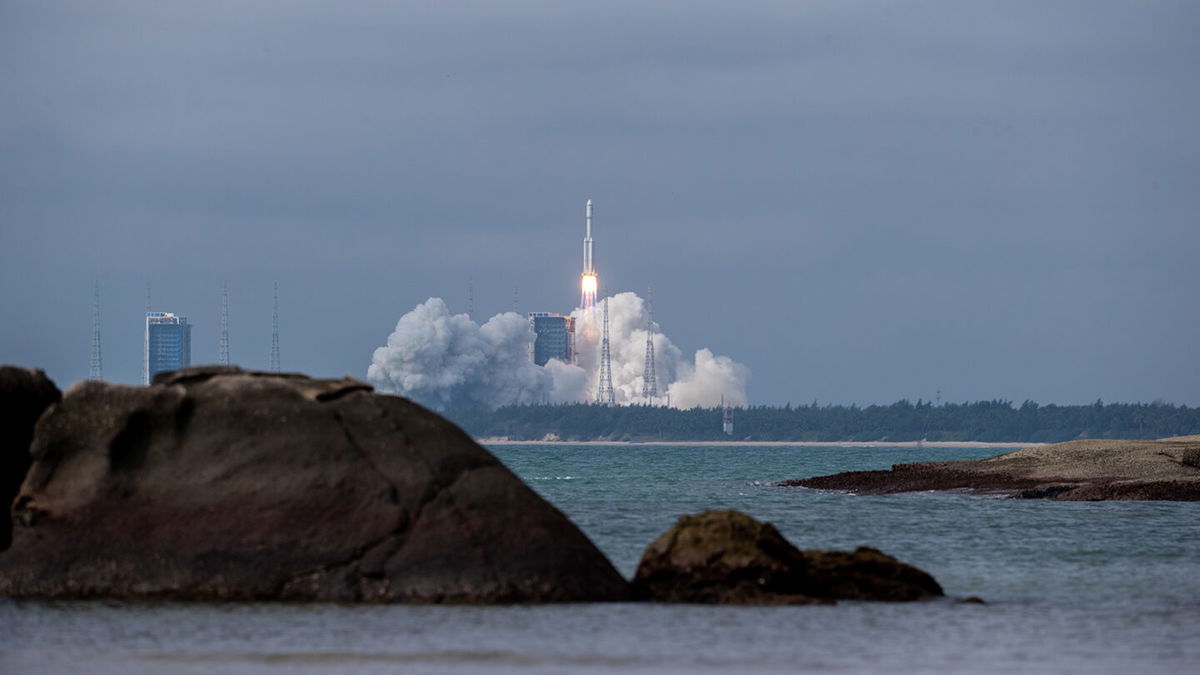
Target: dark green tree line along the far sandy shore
point(997, 421)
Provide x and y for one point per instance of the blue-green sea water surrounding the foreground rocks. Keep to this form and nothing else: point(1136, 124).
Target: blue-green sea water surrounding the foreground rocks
point(1071, 588)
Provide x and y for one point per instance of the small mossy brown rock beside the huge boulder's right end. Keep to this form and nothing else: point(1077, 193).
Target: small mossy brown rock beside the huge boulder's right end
point(727, 557)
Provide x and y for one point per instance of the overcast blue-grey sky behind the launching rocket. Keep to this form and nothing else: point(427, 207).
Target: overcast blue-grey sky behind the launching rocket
point(860, 201)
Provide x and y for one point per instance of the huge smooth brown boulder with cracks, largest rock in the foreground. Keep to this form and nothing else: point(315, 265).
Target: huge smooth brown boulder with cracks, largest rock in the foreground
point(218, 483)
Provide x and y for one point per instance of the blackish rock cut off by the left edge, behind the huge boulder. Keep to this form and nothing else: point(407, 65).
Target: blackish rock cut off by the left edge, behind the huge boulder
point(25, 396)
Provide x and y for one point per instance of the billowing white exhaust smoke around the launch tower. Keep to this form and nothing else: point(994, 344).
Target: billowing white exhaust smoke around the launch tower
point(448, 361)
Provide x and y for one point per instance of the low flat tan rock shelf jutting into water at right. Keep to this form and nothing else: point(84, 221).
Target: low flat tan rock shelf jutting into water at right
point(1168, 470)
